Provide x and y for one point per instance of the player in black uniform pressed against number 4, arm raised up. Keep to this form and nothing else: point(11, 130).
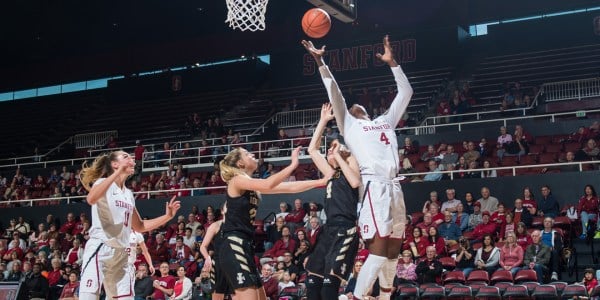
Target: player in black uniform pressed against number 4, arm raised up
point(333, 256)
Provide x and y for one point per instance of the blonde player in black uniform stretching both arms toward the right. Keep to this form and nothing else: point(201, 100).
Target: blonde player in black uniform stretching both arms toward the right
point(236, 254)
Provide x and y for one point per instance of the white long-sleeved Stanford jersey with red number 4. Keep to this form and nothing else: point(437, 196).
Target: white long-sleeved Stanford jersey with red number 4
point(372, 142)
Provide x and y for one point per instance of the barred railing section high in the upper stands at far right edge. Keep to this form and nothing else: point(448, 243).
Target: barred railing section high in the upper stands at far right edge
point(571, 90)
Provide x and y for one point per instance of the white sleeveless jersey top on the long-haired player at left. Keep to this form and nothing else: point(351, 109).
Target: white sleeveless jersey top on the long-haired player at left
point(111, 216)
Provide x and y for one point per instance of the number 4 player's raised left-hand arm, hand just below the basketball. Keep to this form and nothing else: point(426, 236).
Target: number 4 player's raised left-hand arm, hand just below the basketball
point(333, 90)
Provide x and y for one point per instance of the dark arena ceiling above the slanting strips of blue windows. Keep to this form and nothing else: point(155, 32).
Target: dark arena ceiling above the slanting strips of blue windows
point(48, 42)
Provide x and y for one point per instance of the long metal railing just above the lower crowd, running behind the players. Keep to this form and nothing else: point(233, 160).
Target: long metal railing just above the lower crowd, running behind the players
point(202, 191)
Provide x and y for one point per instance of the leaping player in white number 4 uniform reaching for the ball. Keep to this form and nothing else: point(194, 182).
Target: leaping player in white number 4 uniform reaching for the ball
point(374, 143)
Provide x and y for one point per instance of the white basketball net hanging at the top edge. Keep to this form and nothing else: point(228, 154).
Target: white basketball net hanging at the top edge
point(246, 14)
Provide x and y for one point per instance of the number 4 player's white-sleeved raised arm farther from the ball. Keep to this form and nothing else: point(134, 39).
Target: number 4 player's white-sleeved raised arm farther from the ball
point(405, 91)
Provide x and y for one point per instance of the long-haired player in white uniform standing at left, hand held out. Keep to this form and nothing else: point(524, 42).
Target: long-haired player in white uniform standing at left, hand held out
point(105, 259)
